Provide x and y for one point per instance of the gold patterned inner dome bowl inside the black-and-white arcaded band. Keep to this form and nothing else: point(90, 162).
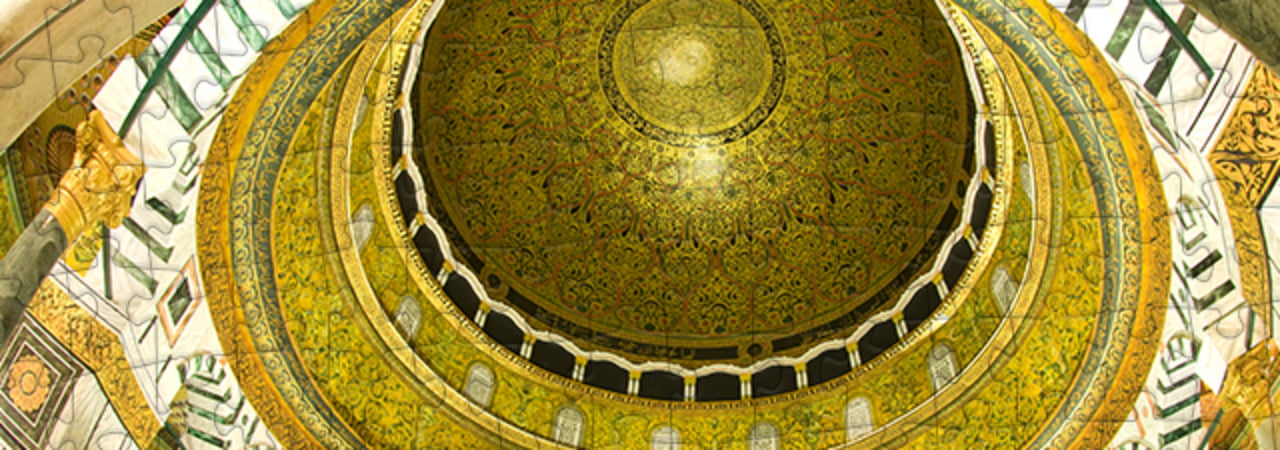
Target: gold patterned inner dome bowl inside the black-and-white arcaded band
point(802, 228)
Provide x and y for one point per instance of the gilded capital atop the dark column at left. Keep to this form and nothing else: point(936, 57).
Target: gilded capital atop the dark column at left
point(102, 182)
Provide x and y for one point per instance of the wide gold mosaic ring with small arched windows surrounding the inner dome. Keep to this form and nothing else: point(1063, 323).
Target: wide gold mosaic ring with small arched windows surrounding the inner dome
point(310, 316)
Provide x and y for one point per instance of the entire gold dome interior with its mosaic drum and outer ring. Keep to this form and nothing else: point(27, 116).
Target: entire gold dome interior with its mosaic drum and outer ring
point(376, 306)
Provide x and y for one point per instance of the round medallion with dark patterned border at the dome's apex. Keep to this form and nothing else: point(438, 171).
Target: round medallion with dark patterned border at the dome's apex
point(669, 70)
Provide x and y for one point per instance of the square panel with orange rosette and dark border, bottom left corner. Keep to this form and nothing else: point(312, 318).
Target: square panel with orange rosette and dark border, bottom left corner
point(36, 379)
